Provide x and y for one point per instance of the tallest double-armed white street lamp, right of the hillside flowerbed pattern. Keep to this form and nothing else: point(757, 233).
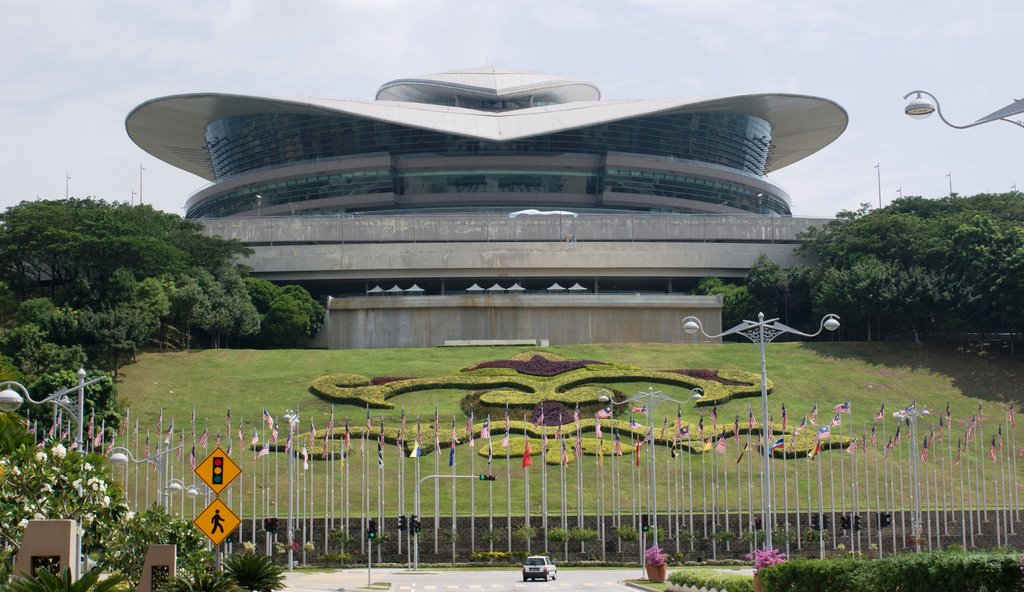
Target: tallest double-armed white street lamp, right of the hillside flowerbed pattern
point(762, 333)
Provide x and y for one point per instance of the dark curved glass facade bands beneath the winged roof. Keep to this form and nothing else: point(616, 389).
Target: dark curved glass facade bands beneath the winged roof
point(258, 143)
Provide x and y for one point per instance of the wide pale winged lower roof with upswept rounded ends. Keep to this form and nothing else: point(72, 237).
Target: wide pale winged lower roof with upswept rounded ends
point(173, 129)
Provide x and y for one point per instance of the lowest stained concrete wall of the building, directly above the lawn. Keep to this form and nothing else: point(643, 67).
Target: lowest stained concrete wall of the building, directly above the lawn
point(372, 322)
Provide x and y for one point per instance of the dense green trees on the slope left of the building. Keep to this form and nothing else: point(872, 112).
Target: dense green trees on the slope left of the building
point(89, 284)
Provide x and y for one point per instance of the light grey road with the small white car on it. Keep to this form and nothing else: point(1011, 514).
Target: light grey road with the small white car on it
point(458, 581)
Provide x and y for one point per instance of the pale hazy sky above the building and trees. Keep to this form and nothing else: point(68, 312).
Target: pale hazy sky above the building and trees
point(72, 71)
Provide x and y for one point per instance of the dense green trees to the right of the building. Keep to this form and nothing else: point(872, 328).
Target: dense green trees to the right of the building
point(918, 267)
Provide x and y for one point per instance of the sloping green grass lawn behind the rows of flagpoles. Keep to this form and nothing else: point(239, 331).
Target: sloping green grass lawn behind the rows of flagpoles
point(803, 374)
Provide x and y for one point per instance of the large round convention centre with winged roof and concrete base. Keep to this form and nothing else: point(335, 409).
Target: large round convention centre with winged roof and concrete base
point(493, 205)
